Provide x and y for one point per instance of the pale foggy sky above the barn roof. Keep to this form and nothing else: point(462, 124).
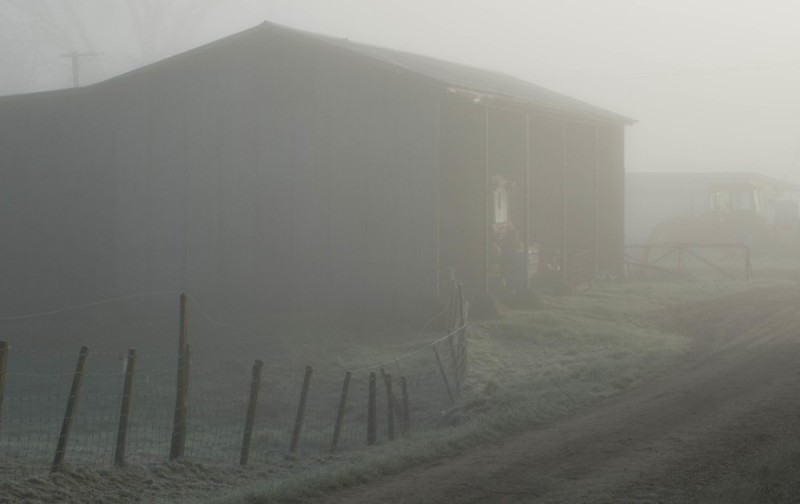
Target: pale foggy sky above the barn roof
point(713, 83)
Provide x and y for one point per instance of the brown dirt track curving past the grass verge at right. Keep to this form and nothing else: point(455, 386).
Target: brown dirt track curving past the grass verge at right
point(738, 395)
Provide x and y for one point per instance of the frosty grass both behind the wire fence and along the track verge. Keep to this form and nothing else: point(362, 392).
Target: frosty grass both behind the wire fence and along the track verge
point(531, 365)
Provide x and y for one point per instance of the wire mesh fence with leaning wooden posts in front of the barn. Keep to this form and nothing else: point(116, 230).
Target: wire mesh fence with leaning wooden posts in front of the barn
point(337, 410)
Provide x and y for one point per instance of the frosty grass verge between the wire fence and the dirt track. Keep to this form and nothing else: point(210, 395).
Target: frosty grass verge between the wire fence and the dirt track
point(530, 366)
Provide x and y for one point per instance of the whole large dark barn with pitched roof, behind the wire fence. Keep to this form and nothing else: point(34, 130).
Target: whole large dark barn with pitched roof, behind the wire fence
point(277, 169)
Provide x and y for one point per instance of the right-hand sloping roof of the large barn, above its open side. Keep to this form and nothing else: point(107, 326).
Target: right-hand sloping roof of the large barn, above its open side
point(468, 78)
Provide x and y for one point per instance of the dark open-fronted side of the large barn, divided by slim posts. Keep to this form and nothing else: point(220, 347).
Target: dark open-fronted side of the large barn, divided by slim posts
point(537, 183)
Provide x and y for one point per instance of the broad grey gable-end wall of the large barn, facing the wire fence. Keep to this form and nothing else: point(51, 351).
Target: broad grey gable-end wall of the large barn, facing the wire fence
point(262, 173)
